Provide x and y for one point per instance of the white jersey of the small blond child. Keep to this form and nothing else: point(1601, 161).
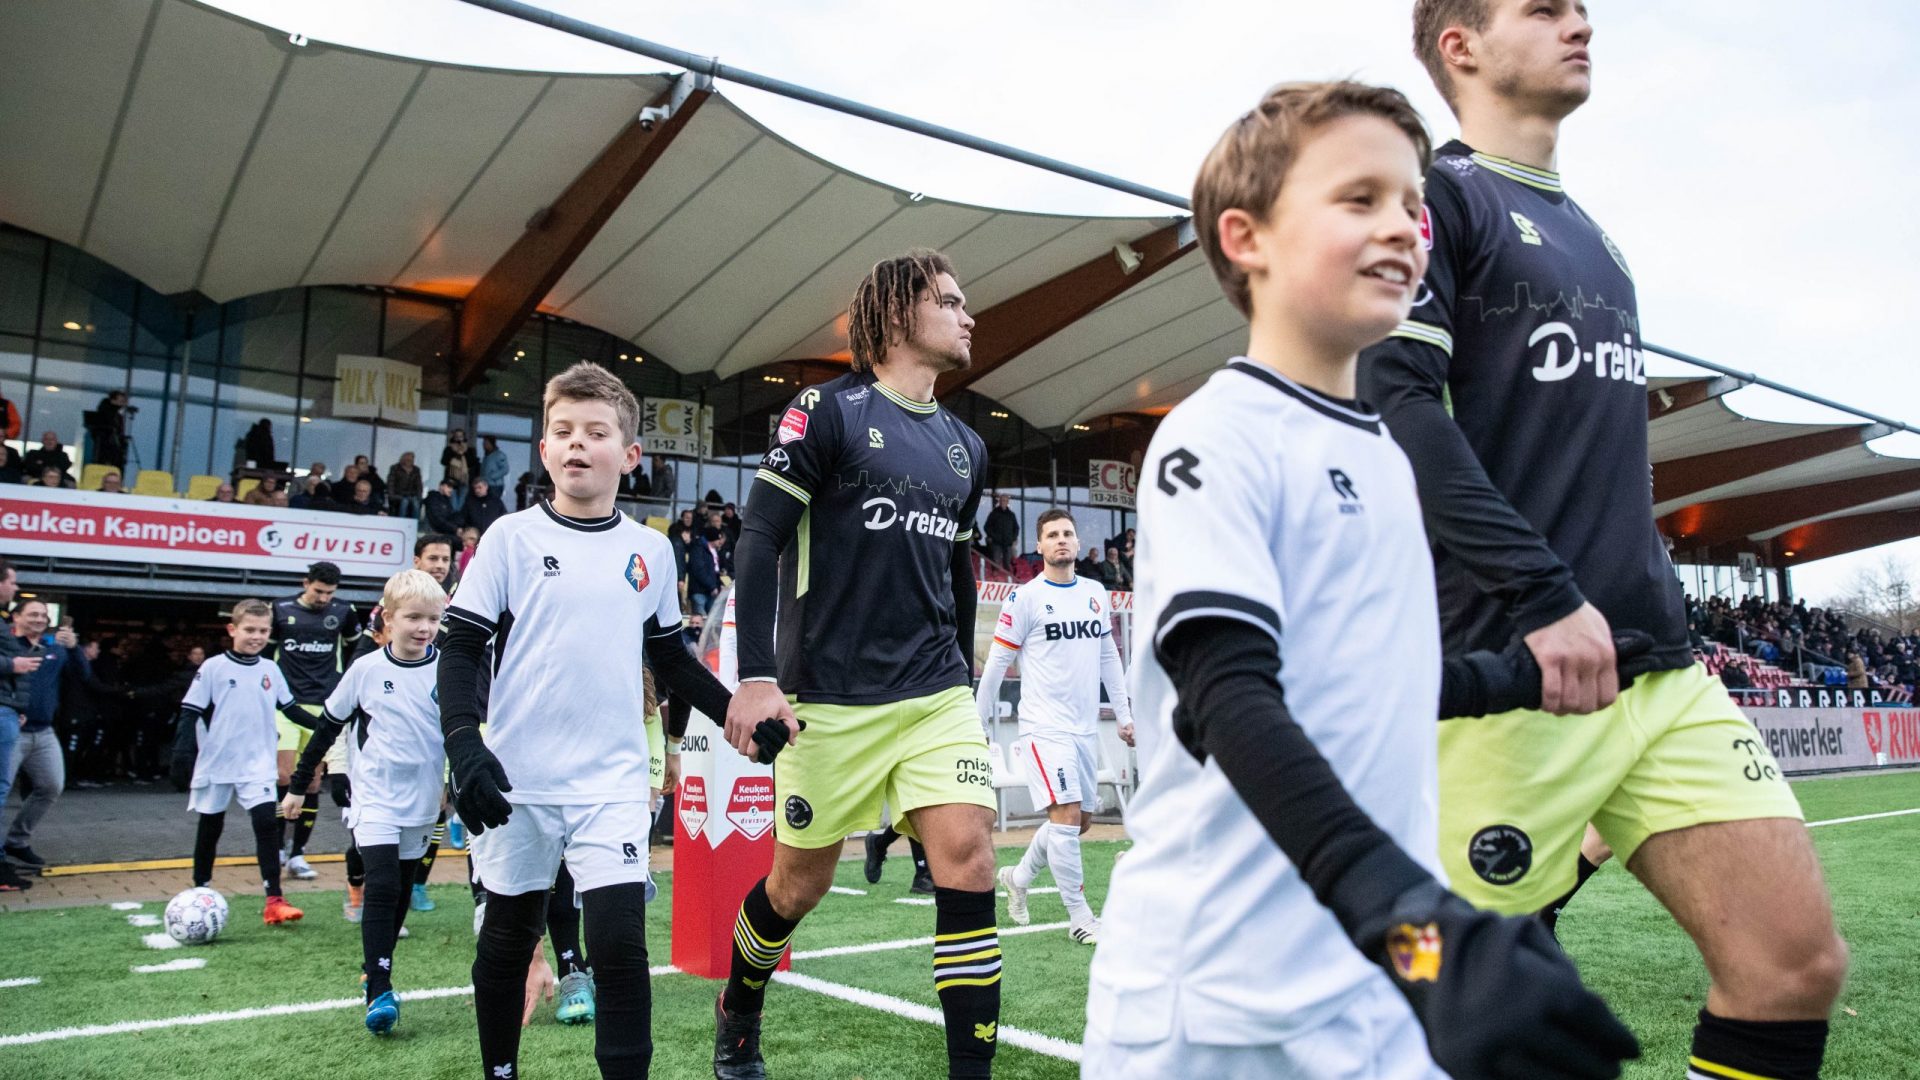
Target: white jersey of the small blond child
point(396, 754)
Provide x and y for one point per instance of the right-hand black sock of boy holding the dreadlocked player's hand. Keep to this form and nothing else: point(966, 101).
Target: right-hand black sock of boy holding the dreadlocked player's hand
point(623, 993)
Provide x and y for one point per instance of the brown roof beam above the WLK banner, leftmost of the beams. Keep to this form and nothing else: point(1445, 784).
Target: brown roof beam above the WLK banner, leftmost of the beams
point(508, 295)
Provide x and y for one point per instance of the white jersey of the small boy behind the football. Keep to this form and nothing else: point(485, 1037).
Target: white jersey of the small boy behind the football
point(241, 697)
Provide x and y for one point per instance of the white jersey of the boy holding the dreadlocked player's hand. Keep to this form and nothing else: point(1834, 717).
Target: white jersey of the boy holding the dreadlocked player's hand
point(569, 606)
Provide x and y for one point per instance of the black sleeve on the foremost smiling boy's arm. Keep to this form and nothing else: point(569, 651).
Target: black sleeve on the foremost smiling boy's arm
point(1234, 710)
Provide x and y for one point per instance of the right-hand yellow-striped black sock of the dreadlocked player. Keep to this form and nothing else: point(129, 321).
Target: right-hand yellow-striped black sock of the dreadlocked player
point(967, 975)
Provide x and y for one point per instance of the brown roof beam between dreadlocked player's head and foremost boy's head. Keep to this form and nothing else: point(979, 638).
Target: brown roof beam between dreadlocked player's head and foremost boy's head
point(1019, 324)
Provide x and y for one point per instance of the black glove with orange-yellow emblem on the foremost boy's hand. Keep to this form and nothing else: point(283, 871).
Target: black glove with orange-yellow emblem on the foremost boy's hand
point(1497, 996)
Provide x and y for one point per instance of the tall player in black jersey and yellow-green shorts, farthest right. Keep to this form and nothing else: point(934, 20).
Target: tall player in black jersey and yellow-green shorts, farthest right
point(1518, 387)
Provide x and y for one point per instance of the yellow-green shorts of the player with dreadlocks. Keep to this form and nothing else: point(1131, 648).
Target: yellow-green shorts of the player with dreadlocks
point(852, 760)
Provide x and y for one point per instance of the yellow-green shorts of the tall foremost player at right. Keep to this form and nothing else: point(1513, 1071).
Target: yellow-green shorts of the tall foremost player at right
point(1518, 789)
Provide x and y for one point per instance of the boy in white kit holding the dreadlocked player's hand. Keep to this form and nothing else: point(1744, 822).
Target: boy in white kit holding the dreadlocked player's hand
point(575, 597)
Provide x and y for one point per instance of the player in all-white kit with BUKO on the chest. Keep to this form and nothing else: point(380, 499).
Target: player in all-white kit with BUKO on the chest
point(1059, 629)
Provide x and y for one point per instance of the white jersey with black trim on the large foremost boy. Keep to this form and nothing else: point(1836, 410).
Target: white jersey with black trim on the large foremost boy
point(1293, 512)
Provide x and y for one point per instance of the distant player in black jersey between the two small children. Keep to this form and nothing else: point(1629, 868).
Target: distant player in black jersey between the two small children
point(314, 643)
